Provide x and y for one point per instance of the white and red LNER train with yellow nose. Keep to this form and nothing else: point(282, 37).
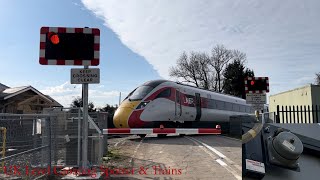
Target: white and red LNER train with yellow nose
point(164, 103)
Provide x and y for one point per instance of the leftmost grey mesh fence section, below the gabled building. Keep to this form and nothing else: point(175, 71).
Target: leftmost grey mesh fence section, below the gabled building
point(25, 144)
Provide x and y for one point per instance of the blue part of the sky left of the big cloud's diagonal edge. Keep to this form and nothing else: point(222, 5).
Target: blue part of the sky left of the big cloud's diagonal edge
point(20, 22)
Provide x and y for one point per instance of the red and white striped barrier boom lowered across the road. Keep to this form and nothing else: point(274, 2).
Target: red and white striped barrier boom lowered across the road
point(161, 131)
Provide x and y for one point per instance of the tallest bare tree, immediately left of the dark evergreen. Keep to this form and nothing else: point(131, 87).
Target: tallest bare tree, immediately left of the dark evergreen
point(220, 57)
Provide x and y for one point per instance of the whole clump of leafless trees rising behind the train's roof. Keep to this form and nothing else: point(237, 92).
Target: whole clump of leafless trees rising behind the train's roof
point(206, 71)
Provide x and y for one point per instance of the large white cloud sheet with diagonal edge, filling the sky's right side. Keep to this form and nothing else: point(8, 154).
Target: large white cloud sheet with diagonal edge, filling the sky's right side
point(281, 39)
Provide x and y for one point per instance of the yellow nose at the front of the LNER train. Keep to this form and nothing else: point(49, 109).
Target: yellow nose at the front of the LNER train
point(121, 116)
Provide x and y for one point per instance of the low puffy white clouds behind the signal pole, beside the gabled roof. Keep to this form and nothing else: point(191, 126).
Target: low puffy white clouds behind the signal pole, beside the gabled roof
point(66, 92)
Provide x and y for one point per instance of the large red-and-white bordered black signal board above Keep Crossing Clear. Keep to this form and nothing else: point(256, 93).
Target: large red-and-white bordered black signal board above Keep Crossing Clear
point(54, 33)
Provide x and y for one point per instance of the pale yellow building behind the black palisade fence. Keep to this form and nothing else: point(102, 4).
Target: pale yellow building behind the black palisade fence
point(306, 96)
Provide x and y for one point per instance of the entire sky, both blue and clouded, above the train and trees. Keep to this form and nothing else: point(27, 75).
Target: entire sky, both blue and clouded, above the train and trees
point(141, 39)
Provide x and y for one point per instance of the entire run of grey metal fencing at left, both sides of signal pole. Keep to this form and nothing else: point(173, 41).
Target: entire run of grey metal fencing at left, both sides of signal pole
point(28, 150)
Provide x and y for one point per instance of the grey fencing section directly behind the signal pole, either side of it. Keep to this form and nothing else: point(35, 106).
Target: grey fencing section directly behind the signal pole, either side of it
point(67, 136)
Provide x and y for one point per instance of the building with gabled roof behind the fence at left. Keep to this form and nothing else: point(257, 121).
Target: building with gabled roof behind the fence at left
point(24, 99)
